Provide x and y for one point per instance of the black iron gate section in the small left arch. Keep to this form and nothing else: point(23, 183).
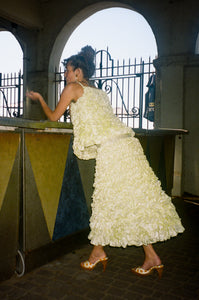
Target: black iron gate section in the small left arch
point(11, 96)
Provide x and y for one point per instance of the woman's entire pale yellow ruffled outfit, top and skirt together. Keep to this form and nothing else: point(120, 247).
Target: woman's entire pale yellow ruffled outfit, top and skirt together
point(129, 206)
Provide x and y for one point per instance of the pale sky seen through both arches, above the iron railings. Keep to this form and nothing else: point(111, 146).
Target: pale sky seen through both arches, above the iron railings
point(125, 32)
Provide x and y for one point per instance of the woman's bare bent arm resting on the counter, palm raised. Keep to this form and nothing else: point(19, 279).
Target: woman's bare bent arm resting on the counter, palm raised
point(71, 92)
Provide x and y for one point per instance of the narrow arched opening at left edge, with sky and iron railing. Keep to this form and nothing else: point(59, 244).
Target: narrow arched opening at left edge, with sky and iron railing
point(11, 70)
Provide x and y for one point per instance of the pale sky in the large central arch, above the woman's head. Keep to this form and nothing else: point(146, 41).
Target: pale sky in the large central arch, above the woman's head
point(125, 32)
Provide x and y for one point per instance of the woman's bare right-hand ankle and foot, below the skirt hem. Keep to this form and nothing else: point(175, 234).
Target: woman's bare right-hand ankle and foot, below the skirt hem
point(151, 257)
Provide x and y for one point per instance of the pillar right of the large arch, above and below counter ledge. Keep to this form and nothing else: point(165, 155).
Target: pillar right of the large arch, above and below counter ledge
point(169, 109)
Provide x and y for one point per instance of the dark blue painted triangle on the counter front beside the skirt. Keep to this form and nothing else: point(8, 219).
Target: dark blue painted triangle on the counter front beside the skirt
point(72, 213)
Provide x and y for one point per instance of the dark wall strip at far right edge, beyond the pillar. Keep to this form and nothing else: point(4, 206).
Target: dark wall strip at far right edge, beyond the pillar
point(191, 121)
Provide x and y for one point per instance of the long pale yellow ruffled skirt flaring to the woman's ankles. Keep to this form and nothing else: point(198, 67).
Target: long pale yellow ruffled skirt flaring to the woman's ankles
point(129, 206)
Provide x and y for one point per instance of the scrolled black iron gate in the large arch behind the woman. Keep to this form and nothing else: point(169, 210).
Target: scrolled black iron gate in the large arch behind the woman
point(126, 85)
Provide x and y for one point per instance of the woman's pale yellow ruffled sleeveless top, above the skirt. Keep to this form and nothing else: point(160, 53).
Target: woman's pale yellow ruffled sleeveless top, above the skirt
point(94, 122)
